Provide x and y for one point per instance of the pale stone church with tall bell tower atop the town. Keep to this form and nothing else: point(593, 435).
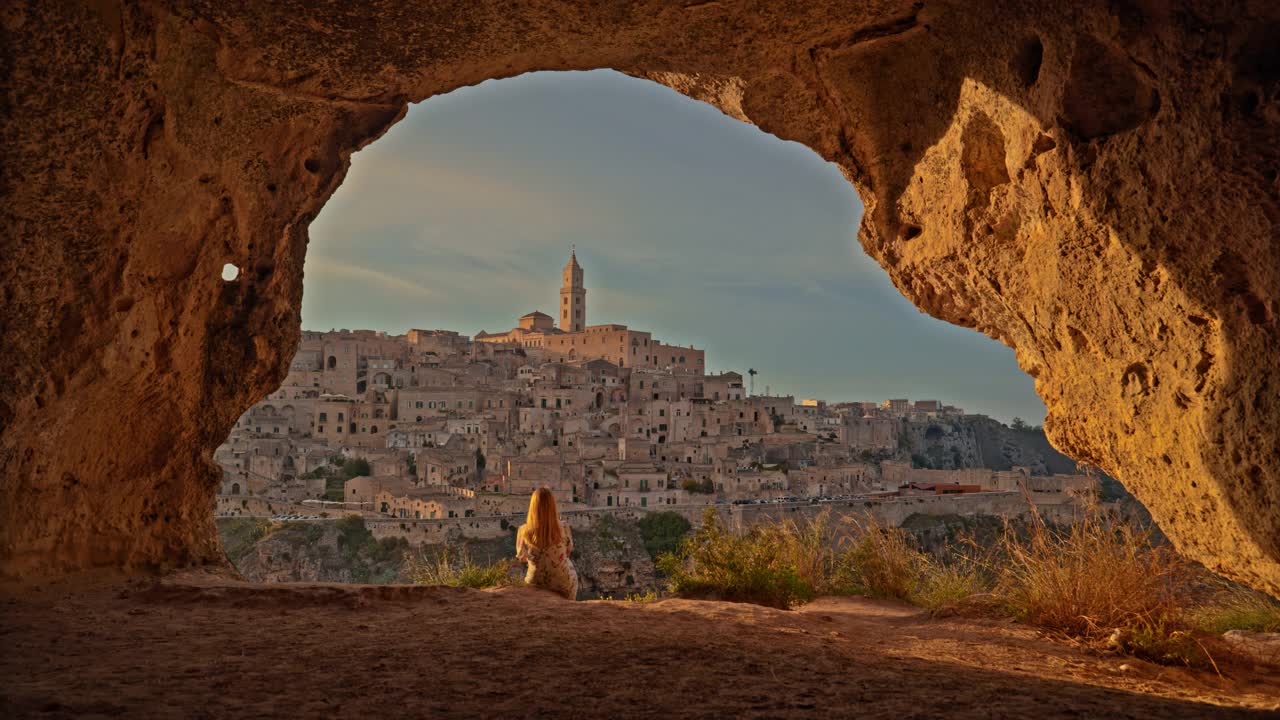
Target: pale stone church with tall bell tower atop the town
point(575, 340)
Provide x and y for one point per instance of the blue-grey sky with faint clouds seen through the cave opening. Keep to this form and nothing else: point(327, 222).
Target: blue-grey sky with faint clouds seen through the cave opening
point(688, 224)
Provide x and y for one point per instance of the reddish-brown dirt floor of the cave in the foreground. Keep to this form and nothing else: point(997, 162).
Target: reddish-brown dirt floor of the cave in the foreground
point(204, 646)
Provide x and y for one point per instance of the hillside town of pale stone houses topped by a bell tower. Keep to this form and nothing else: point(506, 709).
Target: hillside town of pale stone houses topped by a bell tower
point(435, 435)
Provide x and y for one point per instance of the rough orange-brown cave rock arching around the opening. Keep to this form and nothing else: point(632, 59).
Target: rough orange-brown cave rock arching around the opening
point(1092, 184)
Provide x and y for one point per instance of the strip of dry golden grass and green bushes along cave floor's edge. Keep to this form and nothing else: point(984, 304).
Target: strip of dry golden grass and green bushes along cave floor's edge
point(1101, 581)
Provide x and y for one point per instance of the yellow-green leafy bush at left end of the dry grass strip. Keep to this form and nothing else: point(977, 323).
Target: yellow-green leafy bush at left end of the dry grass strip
point(756, 567)
